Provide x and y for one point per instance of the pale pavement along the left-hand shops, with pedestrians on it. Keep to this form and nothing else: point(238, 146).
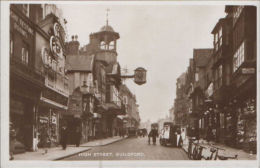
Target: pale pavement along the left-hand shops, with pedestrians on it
point(57, 153)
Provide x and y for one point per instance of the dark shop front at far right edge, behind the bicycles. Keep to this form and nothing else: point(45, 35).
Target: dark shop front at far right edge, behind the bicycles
point(244, 95)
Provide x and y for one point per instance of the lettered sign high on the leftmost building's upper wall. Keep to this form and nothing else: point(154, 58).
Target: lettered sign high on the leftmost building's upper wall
point(21, 26)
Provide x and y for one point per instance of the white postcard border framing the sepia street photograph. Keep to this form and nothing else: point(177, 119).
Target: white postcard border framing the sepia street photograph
point(5, 96)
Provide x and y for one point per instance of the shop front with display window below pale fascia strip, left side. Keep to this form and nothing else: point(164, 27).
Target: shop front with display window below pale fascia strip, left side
point(50, 118)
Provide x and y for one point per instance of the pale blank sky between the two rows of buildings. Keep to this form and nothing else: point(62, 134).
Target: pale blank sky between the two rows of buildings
point(159, 38)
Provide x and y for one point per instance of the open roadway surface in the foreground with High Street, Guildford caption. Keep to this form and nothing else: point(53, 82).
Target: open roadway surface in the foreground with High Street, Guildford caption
point(134, 148)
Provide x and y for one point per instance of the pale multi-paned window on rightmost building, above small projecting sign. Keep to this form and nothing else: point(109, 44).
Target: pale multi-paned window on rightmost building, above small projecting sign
point(239, 57)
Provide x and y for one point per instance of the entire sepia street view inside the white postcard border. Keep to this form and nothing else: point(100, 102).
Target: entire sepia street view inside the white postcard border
point(133, 82)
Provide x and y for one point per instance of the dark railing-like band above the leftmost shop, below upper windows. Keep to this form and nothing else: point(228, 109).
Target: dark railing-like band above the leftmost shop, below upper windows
point(29, 72)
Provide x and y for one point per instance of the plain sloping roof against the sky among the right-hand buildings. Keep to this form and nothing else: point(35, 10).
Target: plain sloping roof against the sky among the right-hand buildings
point(201, 56)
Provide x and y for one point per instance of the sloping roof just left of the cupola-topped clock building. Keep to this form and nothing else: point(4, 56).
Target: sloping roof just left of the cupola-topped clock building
point(79, 62)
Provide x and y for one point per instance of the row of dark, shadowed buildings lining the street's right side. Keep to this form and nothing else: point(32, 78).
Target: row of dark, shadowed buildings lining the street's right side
point(221, 82)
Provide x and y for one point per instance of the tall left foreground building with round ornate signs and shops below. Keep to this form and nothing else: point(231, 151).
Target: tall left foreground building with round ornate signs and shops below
point(38, 84)
